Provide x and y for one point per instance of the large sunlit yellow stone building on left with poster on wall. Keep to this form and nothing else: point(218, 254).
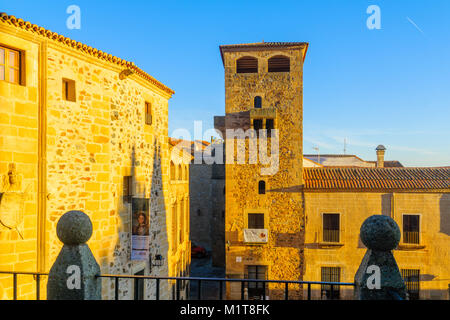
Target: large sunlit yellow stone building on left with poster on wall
point(80, 129)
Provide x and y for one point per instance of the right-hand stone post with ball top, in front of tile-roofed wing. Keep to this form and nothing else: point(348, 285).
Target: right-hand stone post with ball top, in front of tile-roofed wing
point(378, 276)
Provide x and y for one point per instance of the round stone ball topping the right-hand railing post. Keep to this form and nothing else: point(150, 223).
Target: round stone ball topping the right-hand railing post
point(380, 233)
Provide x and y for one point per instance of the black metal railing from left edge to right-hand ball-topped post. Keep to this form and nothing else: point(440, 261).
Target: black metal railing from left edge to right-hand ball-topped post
point(179, 280)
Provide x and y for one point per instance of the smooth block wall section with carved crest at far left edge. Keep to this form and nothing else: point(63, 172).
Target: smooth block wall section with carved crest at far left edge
point(19, 153)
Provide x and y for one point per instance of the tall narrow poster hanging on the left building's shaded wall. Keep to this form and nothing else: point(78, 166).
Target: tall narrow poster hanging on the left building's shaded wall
point(140, 240)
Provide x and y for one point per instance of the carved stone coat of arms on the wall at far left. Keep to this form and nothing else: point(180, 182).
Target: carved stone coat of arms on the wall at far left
point(12, 200)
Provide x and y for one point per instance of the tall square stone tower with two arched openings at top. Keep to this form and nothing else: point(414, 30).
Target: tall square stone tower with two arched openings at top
point(264, 220)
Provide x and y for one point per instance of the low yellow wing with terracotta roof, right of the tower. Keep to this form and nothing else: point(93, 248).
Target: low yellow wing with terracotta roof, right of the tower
point(338, 200)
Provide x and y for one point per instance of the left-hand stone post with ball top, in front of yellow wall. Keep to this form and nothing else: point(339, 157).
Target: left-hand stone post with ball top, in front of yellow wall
point(73, 276)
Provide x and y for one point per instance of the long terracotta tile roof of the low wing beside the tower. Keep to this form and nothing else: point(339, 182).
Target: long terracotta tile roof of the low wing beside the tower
point(377, 178)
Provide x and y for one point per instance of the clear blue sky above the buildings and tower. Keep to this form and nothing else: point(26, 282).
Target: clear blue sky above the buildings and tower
point(389, 86)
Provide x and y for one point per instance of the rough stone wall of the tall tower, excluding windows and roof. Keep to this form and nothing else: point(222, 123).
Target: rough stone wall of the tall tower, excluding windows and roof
point(281, 92)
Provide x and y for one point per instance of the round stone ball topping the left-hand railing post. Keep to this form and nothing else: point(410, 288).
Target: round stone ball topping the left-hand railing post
point(74, 227)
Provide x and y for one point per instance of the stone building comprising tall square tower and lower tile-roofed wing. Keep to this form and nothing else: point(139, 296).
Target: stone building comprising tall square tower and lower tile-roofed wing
point(302, 223)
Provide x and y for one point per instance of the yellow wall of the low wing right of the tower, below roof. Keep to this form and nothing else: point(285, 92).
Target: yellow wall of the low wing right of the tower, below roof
point(431, 256)
